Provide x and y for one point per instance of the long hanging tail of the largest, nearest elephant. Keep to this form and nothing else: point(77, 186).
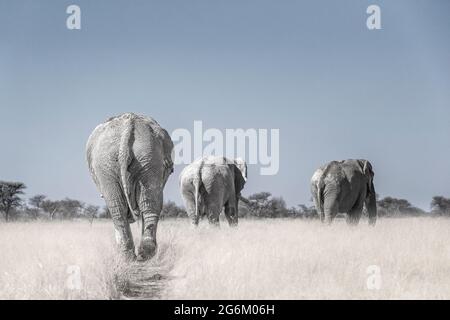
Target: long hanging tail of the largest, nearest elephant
point(125, 159)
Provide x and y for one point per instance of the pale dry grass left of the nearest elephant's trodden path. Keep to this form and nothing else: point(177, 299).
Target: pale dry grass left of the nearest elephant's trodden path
point(36, 259)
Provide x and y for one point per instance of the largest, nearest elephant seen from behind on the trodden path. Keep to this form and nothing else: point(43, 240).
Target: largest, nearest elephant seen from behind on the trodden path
point(129, 157)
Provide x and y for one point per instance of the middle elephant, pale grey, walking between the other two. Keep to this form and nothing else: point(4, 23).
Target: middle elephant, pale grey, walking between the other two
point(210, 184)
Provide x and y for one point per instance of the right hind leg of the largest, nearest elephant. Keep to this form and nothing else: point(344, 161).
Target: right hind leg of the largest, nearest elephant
point(150, 206)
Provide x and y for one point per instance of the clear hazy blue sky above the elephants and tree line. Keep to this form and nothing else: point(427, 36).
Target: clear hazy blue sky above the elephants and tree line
point(312, 69)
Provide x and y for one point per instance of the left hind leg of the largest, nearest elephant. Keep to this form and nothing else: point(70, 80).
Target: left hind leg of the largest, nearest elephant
point(118, 208)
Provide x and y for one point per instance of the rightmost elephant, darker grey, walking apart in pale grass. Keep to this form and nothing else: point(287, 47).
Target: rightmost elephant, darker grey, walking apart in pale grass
point(344, 187)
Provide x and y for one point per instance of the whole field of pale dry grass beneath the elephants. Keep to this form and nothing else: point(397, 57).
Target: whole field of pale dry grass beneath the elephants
point(270, 259)
